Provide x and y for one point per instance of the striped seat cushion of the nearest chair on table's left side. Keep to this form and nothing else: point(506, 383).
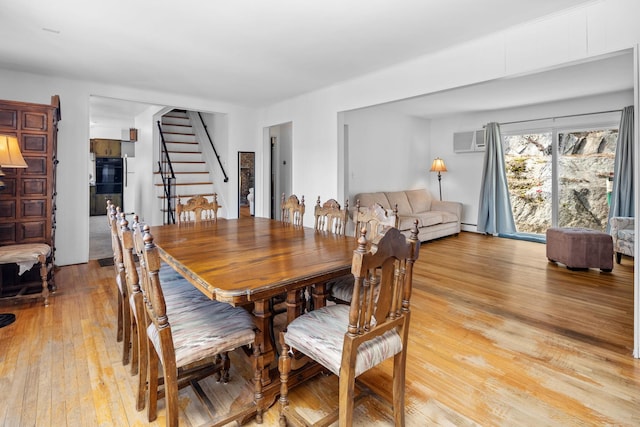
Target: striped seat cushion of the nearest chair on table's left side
point(202, 329)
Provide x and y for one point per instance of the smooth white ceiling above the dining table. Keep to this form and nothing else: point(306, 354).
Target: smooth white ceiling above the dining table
point(248, 52)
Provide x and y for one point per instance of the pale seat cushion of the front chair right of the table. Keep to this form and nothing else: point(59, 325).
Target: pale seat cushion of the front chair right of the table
point(320, 335)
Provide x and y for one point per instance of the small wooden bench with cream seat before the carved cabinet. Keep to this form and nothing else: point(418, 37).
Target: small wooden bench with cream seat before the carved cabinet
point(26, 256)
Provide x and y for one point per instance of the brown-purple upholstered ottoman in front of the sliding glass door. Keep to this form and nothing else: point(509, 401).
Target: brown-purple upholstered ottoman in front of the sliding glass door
point(580, 248)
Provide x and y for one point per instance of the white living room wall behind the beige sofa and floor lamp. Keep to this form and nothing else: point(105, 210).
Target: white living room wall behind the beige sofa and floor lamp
point(402, 147)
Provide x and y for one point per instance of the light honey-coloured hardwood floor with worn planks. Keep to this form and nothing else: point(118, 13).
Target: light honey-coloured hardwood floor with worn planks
point(499, 337)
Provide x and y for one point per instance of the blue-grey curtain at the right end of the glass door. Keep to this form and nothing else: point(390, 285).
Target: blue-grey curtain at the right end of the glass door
point(622, 197)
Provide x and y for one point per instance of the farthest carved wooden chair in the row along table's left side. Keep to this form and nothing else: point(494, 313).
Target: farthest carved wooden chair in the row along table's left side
point(123, 331)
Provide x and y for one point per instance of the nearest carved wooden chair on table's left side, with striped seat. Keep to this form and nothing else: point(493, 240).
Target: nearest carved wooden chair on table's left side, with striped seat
point(187, 341)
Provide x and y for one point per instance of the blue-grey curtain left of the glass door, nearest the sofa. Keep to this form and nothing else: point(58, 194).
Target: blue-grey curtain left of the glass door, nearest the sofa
point(494, 214)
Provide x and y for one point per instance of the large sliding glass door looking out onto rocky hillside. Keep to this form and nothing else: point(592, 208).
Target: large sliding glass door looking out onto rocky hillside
point(560, 177)
